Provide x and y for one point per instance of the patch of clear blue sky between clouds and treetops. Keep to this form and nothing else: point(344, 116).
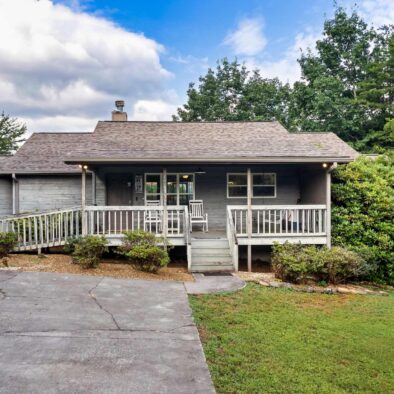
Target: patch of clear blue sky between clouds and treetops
point(193, 32)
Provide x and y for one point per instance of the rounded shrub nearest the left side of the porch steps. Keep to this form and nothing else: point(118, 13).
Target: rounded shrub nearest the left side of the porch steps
point(142, 249)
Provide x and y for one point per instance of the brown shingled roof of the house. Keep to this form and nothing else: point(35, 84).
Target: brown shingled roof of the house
point(175, 141)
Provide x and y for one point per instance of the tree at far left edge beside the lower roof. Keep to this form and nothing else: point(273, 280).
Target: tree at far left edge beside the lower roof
point(11, 133)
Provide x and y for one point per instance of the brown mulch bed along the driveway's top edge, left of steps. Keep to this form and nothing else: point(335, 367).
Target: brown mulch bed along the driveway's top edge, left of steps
point(109, 267)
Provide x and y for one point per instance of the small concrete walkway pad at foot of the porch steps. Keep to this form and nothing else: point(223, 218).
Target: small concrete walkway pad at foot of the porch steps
point(211, 284)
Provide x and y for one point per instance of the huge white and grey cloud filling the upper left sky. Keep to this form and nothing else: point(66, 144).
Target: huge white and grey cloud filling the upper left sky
point(59, 63)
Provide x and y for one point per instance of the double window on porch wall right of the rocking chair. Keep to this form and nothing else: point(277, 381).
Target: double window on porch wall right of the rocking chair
point(263, 185)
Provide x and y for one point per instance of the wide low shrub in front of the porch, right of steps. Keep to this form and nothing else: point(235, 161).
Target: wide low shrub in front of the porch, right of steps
point(297, 263)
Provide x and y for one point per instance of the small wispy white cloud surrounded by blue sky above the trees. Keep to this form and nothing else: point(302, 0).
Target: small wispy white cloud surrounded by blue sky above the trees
point(248, 39)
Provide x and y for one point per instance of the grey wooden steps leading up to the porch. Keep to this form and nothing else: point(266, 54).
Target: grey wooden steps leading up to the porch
point(210, 254)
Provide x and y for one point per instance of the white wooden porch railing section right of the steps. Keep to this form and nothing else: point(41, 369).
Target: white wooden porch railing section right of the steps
point(277, 220)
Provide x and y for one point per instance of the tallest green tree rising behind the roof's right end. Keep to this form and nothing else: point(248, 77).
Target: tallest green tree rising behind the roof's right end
point(332, 78)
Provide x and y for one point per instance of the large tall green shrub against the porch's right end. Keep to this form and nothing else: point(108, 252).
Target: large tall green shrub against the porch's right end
point(363, 211)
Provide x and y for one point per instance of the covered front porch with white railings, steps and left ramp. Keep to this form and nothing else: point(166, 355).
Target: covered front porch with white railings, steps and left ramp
point(246, 205)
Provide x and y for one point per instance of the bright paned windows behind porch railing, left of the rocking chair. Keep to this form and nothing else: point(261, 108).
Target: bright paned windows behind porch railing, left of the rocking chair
point(180, 188)
